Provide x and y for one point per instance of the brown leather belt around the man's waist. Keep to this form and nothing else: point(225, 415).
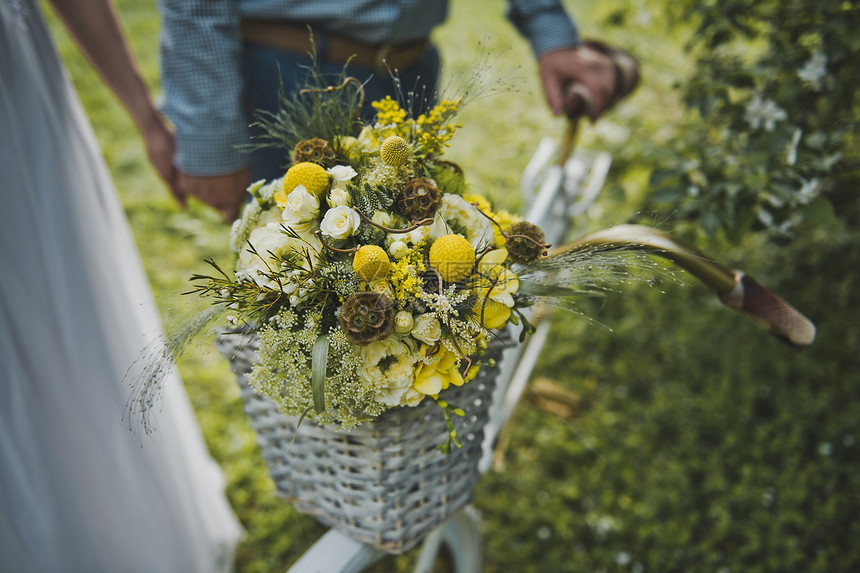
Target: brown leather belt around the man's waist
point(295, 38)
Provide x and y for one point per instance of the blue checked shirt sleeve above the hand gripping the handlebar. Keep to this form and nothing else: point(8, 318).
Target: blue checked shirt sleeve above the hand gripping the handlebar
point(544, 23)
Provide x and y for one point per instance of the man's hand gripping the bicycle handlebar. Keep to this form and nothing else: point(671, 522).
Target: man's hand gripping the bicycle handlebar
point(578, 81)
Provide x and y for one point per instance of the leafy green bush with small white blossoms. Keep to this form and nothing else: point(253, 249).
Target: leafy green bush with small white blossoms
point(772, 143)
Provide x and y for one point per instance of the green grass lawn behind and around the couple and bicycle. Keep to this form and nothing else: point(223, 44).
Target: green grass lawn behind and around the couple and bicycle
point(699, 443)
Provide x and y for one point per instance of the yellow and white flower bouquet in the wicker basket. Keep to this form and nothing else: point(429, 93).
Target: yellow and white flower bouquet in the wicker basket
point(371, 274)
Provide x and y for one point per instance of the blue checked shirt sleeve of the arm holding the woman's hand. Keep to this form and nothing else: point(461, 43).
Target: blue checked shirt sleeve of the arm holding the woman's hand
point(202, 82)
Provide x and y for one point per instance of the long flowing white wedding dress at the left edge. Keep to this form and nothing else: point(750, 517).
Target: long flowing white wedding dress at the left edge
point(78, 491)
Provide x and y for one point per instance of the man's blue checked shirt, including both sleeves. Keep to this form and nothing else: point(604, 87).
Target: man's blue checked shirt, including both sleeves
point(201, 52)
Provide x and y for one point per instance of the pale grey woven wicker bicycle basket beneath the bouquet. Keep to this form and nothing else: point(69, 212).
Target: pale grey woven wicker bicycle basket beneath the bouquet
point(383, 483)
